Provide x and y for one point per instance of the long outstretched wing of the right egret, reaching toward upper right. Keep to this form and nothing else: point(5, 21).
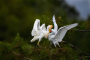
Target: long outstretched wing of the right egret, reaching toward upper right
point(62, 31)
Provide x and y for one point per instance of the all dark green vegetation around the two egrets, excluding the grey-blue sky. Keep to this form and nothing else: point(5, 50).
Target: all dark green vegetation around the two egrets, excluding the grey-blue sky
point(16, 22)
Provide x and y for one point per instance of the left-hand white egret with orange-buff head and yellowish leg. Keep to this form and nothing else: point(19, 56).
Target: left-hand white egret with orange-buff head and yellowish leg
point(40, 31)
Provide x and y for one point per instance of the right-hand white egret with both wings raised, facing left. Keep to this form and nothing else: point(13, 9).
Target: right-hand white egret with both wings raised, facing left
point(57, 35)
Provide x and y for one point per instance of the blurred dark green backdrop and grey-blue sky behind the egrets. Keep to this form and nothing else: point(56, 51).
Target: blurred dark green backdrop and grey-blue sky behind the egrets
point(18, 16)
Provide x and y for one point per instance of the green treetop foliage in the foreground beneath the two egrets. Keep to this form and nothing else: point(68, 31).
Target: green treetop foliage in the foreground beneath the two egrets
point(19, 47)
